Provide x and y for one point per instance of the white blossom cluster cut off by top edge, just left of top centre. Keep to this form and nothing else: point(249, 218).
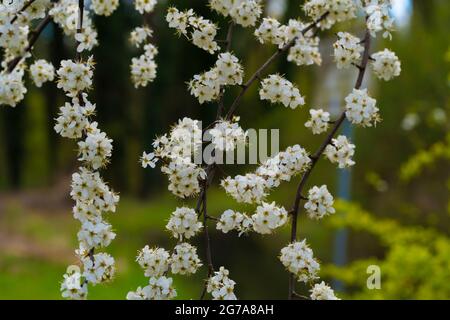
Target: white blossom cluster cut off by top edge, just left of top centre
point(243, 12)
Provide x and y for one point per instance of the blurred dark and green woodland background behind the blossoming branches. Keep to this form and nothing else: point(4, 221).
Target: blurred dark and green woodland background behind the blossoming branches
point(394, 208)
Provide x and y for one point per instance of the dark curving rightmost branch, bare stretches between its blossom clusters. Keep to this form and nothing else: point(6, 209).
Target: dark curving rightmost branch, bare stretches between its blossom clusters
point(316, 156)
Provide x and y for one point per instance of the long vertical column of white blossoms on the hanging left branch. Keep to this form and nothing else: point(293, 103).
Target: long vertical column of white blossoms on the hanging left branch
point(91, 194)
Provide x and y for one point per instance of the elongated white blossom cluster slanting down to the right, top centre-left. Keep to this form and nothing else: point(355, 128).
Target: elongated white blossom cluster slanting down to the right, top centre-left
point(197, 29)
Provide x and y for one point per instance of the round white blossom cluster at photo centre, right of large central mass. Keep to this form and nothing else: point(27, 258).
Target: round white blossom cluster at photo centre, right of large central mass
point(227, 135)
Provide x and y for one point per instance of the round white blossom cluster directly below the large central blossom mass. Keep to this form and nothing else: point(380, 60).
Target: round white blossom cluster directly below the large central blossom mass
point(184, 223)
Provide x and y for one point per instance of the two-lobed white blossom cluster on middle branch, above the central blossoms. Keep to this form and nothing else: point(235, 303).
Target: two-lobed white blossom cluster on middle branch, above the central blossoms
point(227, 71)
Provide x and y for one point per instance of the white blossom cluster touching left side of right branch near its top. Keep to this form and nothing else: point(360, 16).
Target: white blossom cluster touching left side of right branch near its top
point(347, 50)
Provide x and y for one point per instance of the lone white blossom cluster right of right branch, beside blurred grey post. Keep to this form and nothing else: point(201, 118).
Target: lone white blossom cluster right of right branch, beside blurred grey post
point(320, 202)
